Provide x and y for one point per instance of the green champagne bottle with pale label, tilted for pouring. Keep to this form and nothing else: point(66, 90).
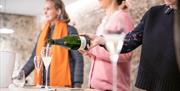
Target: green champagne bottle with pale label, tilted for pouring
point(73, 42)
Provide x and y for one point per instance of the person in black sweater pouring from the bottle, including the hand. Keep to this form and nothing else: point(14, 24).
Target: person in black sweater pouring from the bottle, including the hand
point(158, 69)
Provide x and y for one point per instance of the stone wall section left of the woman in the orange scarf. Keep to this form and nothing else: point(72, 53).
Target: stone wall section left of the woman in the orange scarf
point(22, 41)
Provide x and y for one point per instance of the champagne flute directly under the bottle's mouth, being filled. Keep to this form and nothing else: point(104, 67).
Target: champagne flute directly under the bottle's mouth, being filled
point(46, 54)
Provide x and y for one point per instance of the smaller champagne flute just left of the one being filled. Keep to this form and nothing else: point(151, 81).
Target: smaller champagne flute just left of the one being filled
point(37, 65)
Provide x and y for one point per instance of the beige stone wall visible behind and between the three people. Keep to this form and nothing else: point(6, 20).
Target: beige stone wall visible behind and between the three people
point(86, 16)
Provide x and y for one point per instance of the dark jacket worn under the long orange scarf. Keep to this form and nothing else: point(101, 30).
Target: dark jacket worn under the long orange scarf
point(75, 60)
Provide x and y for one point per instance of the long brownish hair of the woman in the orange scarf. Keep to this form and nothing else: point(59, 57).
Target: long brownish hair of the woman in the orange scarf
point(60, 5)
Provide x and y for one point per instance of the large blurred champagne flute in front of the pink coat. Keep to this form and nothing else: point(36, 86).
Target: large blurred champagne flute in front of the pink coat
point(114, 43)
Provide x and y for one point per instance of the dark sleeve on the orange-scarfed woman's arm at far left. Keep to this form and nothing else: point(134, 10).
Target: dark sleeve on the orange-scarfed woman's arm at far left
point(29, 66)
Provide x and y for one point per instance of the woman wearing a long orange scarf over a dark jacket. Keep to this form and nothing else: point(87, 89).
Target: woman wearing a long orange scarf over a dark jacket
point(66, 68)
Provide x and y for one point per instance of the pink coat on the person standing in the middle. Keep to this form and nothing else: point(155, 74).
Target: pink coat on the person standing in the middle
point(101, 68)
